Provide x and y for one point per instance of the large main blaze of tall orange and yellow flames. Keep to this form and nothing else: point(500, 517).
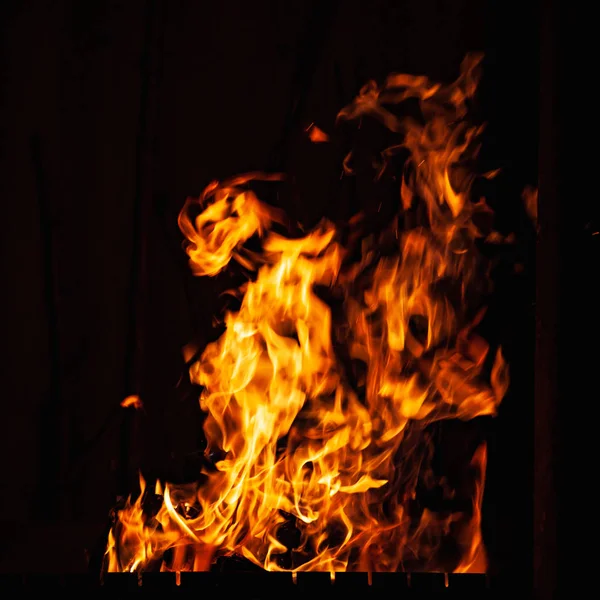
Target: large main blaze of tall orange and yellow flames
point(320, 420)
